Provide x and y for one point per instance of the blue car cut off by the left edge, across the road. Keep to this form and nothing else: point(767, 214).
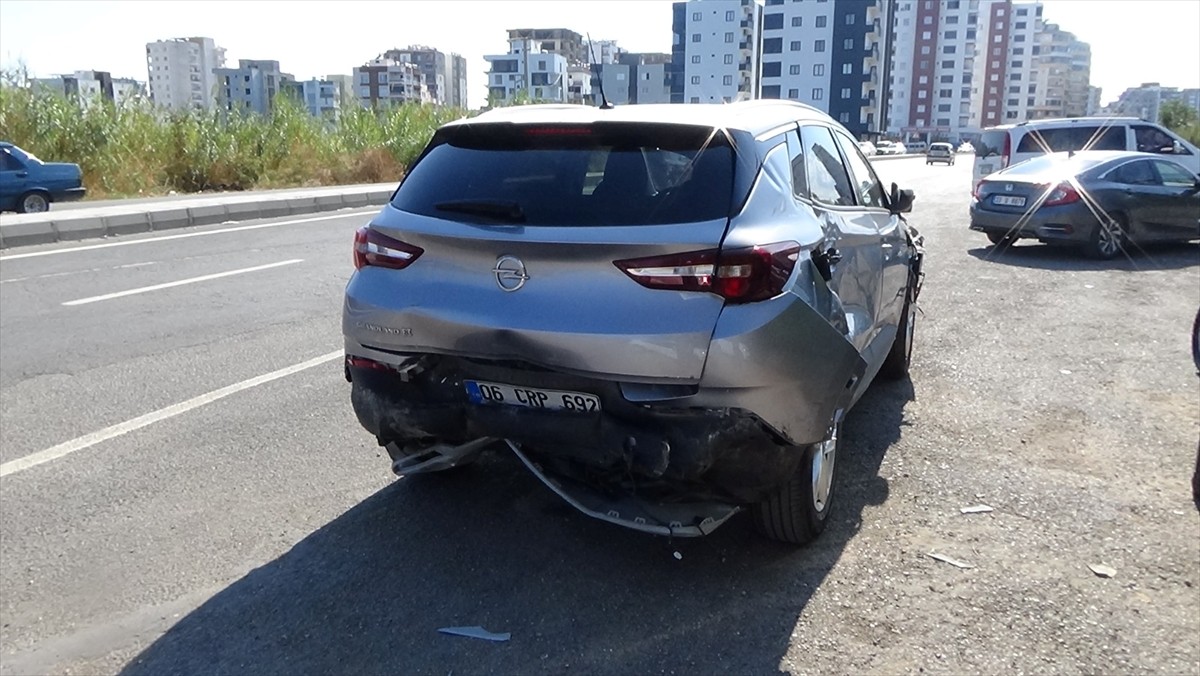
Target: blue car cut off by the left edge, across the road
point(29, 186)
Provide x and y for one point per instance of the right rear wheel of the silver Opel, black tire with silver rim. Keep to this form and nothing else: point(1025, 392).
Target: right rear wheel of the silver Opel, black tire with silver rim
point(793, 515)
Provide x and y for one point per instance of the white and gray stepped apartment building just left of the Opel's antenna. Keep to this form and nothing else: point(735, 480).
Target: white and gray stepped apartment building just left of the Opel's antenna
point(530, 70)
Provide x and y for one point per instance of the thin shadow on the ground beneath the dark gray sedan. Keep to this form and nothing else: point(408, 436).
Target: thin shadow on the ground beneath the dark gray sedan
point(1145, 258)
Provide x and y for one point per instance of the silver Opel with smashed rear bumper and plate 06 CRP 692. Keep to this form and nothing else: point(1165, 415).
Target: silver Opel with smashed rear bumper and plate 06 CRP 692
point(663, 312)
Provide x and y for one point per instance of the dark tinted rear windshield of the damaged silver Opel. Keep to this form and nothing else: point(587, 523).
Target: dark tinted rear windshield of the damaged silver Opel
point(609, 175)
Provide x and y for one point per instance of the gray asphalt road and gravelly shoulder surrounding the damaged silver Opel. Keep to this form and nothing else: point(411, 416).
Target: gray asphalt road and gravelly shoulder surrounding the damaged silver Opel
point(163, 511)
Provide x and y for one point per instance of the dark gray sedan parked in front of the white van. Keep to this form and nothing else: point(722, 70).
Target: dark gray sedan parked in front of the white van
point(1099, 201)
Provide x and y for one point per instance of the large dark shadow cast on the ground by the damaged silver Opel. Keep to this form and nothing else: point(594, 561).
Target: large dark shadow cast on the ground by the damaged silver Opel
point(491, 547)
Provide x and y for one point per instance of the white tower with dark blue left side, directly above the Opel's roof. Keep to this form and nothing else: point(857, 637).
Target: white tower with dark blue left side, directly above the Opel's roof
point(716, 51)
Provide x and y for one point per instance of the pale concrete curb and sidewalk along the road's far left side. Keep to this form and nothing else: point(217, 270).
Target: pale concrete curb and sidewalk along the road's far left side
point(117, 219)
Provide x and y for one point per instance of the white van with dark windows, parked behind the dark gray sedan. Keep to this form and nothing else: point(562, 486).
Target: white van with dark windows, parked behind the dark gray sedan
point(1009, 145)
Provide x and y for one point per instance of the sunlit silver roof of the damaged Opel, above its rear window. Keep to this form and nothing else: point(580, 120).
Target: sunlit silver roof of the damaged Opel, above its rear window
point(753, 117)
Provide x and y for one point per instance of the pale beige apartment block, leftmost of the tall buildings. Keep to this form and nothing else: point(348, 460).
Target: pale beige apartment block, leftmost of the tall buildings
point(182, 73)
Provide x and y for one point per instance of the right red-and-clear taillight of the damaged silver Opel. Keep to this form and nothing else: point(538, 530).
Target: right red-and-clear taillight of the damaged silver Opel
point(739, 276)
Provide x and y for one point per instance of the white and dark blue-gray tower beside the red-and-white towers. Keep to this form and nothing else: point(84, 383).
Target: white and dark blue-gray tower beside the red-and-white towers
point(831, 56)
